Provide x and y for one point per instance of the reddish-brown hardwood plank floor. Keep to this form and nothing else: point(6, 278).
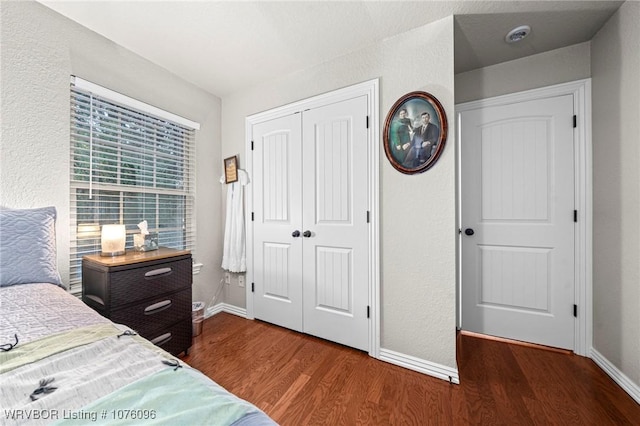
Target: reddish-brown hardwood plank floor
point(301, 380)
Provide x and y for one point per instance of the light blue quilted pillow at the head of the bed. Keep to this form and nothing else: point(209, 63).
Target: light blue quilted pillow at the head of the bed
point(28, 247)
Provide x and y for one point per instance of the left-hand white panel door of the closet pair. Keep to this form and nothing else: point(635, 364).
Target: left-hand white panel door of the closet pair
point(277, 201)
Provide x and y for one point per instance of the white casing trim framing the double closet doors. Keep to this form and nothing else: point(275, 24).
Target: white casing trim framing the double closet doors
point(370, 89)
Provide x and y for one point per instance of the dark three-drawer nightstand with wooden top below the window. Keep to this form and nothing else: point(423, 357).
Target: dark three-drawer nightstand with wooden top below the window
point(150, 292)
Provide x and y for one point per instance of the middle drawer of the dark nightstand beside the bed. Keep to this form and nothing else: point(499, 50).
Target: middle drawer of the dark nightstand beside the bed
point(155, 313)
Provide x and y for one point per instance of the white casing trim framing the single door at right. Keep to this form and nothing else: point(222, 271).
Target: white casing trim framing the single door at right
point(583, 198)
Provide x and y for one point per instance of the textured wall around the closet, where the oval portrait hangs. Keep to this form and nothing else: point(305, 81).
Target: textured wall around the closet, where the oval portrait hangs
point(417, 262)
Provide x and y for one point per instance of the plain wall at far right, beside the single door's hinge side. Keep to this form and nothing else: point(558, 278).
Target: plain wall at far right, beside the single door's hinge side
point(615, 68)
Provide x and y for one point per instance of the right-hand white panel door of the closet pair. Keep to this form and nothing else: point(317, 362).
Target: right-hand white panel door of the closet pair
point(336, 251)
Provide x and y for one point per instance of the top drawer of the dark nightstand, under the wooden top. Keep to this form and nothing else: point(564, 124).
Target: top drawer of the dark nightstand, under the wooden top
point(135, 284)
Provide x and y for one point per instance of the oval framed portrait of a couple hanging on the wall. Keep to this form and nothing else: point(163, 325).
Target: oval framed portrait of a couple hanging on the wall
point(415, 132)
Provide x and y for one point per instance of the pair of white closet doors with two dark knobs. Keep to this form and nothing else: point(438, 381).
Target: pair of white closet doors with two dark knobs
point(310, 222)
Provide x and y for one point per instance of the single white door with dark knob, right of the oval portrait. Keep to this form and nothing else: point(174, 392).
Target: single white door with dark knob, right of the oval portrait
point(517, 195)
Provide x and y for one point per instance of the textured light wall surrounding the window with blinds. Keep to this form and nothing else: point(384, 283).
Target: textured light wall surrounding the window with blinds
point(40, 50)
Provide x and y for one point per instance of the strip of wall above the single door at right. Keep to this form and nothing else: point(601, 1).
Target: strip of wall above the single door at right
point(562, 65)
